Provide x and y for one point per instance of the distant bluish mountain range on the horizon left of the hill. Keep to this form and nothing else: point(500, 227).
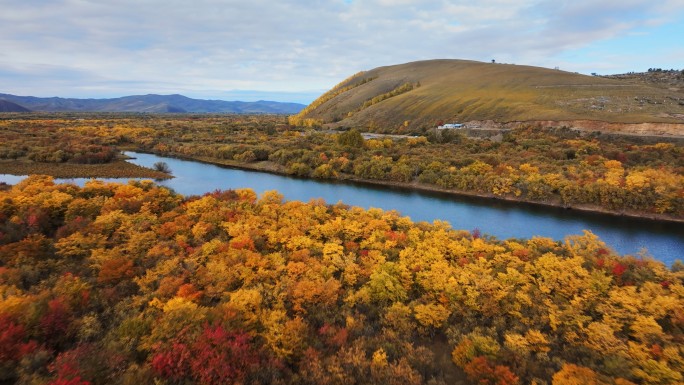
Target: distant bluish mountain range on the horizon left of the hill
point(145, 103)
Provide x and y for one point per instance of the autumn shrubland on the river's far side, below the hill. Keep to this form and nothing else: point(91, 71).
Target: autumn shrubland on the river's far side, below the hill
point(560, 166)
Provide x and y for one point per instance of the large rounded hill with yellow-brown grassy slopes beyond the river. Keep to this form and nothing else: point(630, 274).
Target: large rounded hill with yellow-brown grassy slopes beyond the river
point(424, 93)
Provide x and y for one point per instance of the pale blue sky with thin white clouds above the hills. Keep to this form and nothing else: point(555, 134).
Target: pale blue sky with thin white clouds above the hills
point(287, 50)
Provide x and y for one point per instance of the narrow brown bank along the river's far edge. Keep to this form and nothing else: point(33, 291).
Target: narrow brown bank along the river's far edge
point(270, 167)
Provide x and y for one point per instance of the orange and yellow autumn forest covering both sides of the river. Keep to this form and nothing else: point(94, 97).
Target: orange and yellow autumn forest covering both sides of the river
point(131, 283)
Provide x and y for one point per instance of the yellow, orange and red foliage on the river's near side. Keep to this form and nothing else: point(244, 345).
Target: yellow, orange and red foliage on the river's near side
point(134, 284)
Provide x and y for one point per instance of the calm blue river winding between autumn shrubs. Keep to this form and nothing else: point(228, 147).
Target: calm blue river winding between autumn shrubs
point(502, 219)
